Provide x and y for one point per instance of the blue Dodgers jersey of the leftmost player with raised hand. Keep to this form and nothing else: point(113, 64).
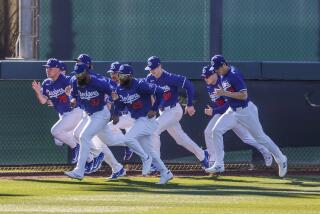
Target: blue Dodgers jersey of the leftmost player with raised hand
point(55, 91)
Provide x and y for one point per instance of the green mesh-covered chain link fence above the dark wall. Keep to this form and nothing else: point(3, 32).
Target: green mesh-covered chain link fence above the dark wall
point(252, 30)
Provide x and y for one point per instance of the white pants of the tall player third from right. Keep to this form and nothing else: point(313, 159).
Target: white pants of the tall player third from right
point(169, 120)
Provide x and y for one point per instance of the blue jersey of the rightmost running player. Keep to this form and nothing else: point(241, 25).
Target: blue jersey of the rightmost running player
point(233, 82)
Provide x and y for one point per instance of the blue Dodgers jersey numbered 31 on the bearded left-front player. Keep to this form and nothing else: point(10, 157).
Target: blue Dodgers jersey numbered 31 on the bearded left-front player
point(92, 95)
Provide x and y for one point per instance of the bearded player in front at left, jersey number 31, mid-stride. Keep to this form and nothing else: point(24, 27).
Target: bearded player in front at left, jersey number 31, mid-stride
point(90, 89)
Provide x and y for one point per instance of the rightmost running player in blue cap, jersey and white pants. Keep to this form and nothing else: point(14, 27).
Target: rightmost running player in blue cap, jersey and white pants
point(241, 111)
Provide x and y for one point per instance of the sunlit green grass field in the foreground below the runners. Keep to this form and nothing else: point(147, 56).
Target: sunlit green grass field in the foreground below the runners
point(225, 194)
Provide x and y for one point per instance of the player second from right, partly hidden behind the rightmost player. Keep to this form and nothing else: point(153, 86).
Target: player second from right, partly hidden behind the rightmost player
point(216, 108)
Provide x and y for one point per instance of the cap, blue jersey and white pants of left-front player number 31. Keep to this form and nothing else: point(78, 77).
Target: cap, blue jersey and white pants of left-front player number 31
point(91, 98)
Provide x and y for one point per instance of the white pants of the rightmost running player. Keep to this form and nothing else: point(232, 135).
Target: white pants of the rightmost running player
point(249, 118)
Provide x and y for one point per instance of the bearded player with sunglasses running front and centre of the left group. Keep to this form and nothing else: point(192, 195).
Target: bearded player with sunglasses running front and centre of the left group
point(136, 96)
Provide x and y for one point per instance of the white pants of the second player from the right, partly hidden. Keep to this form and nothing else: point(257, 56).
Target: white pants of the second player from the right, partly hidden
point(241, 131)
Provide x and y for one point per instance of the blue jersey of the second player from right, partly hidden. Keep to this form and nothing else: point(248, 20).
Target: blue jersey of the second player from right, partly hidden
point(218, 104)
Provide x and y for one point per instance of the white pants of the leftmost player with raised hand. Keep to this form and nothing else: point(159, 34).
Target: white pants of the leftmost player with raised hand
point(62, 129)
